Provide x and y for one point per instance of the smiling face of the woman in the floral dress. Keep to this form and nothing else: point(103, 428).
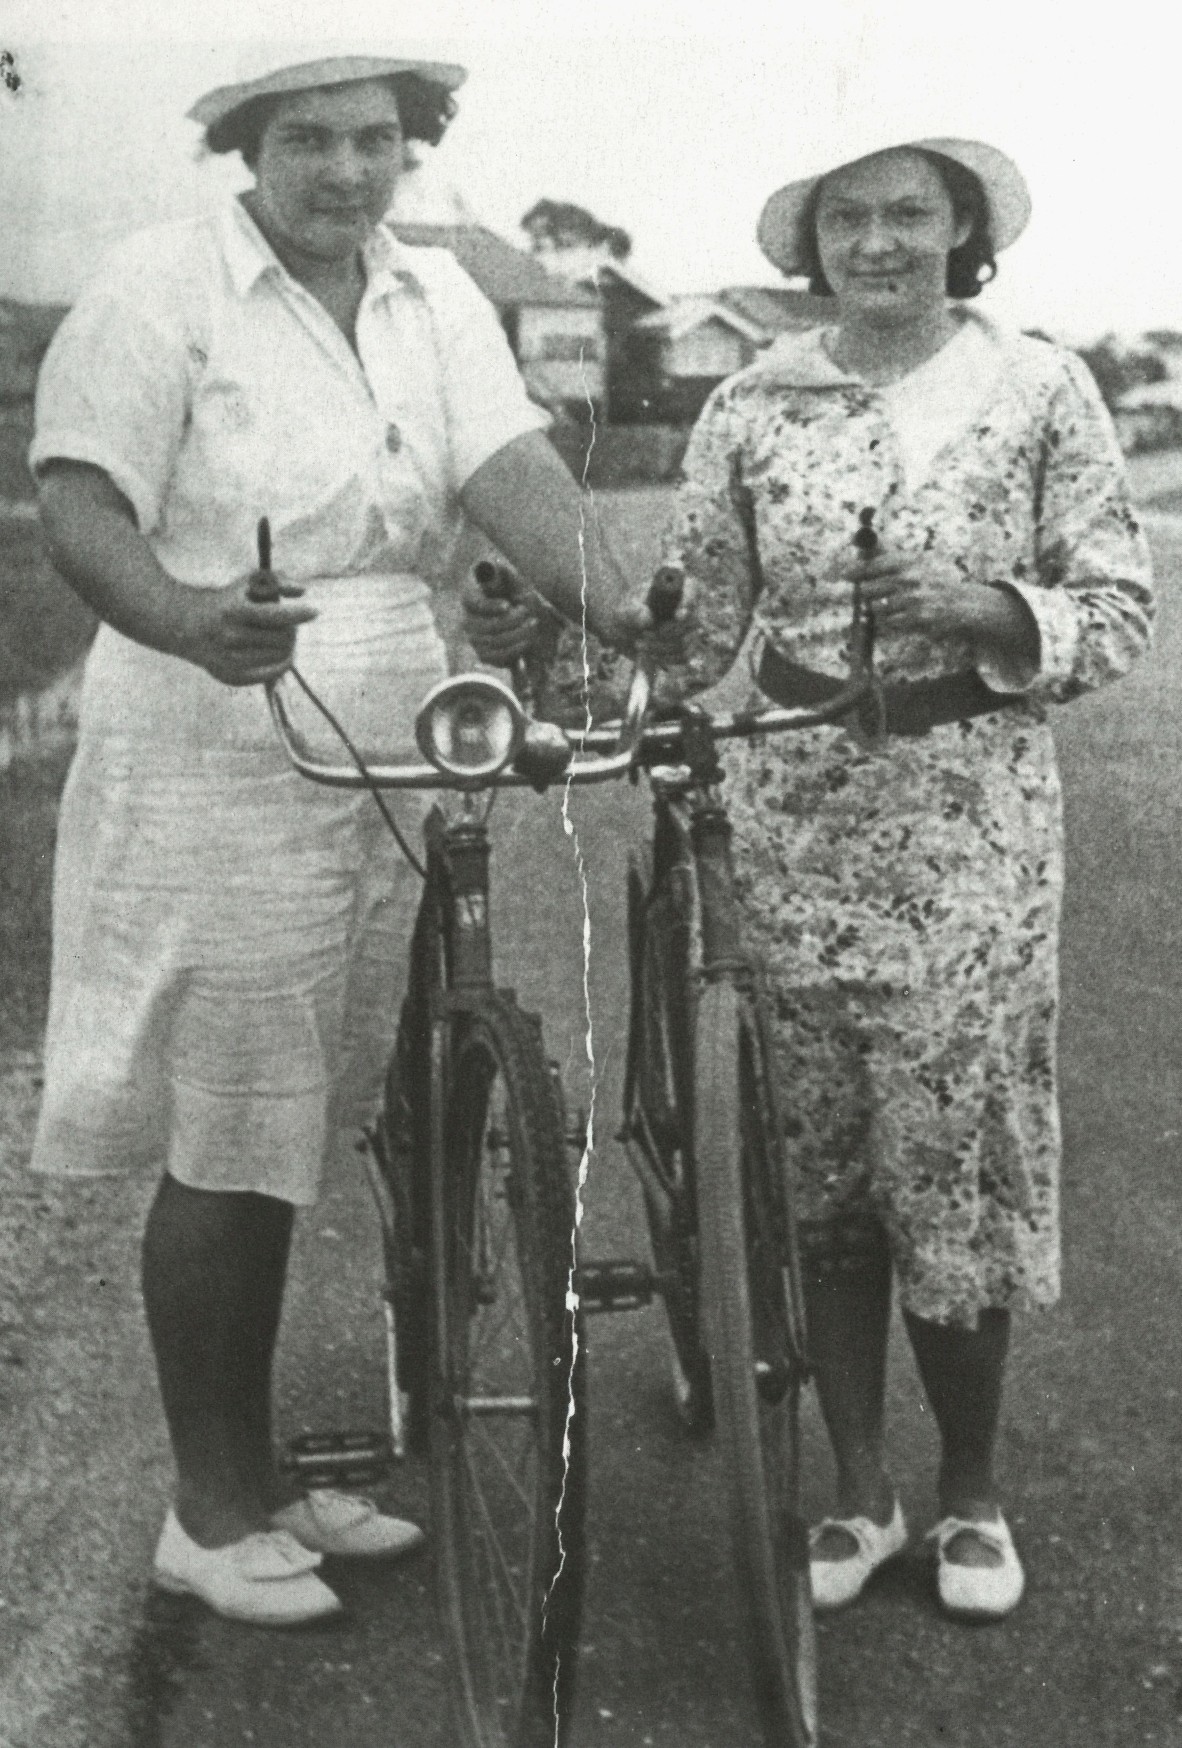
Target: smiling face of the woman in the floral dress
point(884, 233)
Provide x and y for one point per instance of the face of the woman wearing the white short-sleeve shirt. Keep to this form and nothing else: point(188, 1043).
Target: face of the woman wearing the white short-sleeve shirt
point(326, 169)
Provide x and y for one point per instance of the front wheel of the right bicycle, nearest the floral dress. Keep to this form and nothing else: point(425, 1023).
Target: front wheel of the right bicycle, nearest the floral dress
point(754, 1356)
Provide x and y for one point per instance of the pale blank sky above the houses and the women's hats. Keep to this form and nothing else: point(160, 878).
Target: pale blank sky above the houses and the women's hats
point(671, 118)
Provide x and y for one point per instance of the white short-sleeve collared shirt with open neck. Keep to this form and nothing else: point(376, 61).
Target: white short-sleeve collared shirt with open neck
point(214, 391)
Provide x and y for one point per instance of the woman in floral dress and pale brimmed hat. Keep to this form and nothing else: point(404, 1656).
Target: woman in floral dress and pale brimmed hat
point(905, 896)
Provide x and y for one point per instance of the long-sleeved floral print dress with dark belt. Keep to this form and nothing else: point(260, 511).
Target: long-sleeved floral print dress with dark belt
point(907, 899)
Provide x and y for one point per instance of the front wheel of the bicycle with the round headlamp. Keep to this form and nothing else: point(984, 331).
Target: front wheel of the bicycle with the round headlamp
point(508, 1487)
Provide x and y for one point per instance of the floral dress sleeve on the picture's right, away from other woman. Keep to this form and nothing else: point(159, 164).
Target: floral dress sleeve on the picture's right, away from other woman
point(1092, 586)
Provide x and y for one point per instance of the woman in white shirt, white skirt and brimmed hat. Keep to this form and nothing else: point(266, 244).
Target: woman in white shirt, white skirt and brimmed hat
point(228, 940)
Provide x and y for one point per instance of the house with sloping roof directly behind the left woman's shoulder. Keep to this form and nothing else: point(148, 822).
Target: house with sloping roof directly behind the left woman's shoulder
point(555, 328)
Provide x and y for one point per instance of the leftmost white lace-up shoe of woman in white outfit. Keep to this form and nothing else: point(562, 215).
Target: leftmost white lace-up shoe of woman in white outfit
point(267, 1579)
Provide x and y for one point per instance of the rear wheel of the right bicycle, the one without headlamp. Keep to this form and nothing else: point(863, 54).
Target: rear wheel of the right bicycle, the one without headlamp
point(660, 1121)
